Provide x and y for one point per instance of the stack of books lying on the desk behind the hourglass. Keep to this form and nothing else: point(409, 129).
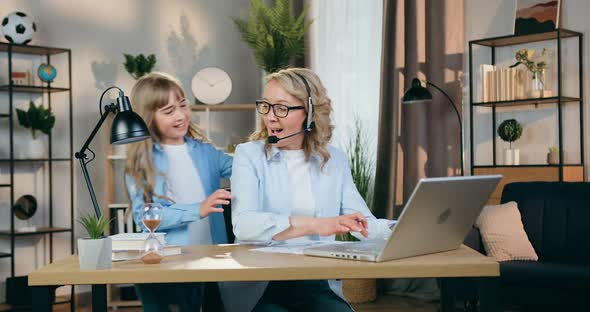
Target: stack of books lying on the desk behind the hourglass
point(128, 246)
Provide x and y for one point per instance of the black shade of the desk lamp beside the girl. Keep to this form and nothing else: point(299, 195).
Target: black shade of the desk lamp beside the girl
point(128, 127)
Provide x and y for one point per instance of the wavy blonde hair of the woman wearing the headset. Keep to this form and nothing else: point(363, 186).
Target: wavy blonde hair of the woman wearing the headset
point(318, 139)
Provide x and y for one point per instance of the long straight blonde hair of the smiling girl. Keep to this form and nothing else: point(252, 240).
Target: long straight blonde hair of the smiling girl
point(150, 93)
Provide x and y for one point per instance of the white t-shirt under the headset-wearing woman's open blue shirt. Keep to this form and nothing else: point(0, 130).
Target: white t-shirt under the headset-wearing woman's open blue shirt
point(300, 185)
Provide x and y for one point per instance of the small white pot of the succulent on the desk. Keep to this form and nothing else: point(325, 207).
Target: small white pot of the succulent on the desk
point(95, 254)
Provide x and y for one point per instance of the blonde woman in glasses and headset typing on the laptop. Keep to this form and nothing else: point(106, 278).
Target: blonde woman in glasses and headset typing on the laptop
point(289, 184)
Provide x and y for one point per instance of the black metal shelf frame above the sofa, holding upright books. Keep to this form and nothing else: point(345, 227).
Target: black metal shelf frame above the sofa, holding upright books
point(558, 101)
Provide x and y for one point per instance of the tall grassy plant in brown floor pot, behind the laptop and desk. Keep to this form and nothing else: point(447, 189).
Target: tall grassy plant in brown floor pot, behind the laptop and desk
point(362, 168)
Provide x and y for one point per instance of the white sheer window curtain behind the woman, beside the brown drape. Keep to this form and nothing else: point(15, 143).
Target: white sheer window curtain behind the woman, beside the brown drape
point(345, 42)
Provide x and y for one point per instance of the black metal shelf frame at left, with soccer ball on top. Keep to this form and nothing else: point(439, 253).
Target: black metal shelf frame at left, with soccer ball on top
point(47, 89)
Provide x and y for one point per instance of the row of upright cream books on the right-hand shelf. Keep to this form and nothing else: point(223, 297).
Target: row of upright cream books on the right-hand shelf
point(502, 83)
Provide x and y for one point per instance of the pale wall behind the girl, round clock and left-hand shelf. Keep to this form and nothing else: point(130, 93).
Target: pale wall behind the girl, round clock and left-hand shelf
point(185, 35)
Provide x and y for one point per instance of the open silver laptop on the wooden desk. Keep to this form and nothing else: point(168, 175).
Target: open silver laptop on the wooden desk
point(436, 218)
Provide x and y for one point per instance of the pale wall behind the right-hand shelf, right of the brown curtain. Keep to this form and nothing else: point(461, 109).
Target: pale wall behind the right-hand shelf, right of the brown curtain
point(485, 19)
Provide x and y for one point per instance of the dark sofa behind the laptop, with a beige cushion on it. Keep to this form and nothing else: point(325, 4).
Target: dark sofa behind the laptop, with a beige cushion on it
point(556, 218)
